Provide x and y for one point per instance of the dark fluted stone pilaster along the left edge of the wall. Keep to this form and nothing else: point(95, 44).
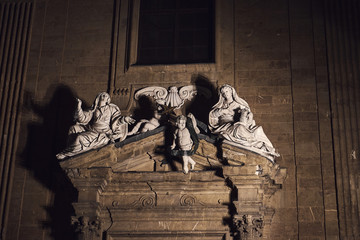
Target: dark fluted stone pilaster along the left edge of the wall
point(16, 19)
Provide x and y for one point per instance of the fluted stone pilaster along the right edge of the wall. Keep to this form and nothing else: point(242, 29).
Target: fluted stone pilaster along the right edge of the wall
point(343, 69)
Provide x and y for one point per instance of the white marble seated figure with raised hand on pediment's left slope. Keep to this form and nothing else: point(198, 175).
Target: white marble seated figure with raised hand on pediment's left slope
point(96, 127)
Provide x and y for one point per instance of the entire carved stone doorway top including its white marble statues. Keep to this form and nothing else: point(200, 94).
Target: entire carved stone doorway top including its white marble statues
point(140, 186)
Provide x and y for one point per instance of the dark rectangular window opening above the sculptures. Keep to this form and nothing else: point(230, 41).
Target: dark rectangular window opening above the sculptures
point(176, 31)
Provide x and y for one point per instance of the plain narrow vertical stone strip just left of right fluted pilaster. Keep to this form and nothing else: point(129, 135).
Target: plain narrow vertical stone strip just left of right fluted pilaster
point(324, 121)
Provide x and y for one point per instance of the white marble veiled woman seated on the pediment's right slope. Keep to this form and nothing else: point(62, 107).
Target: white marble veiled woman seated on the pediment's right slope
point(232, 119)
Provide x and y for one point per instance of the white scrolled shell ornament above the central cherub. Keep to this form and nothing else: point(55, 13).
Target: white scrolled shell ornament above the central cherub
point(173, 97)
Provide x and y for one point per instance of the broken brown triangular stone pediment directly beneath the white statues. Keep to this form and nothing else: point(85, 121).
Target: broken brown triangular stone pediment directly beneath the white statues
point(146, 153)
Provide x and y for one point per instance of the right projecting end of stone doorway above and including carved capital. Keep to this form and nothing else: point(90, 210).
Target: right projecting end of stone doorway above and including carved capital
point(253, 180)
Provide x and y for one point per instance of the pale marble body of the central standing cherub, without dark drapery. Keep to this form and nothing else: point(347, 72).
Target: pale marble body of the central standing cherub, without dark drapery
point(182, 139)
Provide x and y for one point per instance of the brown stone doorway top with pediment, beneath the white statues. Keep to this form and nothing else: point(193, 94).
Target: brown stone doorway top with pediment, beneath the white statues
point(130, 190)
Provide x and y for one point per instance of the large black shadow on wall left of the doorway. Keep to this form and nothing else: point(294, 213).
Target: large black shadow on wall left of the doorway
point(44, 141)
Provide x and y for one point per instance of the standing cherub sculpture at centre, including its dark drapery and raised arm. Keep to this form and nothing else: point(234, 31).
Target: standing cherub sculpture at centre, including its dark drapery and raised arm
point(184, 138)
